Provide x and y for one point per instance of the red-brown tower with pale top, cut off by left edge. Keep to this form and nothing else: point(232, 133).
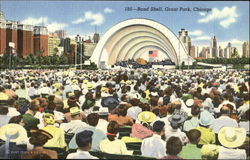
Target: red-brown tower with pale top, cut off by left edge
point(2, 33)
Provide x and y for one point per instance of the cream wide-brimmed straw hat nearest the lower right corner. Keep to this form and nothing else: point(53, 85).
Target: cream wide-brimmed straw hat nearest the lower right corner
point(232, 137)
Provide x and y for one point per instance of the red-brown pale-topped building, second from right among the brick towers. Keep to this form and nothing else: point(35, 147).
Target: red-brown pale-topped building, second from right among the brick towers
point(25, 39)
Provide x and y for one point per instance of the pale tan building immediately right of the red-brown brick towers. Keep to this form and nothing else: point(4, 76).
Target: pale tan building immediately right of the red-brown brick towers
point(53, 44)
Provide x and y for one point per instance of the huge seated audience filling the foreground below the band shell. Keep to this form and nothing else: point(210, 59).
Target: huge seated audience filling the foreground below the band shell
point(168, 114)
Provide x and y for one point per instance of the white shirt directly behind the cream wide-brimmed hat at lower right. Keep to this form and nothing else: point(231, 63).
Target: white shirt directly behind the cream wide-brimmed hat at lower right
point(223, 121)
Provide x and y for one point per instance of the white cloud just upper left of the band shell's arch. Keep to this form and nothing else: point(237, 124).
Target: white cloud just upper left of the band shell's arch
point(95, 18)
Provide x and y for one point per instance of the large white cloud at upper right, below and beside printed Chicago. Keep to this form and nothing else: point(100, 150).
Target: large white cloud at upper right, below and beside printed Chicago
point(226, 16)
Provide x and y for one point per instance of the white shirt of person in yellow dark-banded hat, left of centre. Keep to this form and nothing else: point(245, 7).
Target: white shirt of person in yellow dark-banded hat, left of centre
point(72, 126)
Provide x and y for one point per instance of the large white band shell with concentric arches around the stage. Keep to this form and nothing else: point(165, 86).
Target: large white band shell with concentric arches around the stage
point(134, 38)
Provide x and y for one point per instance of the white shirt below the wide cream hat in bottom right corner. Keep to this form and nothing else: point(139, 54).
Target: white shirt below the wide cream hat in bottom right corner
point(226, 153)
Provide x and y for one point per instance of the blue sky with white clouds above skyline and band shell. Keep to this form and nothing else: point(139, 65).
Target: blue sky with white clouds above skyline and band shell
point(227, 20)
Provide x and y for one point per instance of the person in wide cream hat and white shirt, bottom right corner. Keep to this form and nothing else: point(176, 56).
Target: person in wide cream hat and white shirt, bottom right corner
point(231, 138)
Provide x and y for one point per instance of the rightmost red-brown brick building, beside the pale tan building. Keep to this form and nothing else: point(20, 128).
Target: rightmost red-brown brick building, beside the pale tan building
point(41, 41)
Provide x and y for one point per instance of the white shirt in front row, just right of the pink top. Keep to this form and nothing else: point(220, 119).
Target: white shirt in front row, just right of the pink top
point(153, 147)
